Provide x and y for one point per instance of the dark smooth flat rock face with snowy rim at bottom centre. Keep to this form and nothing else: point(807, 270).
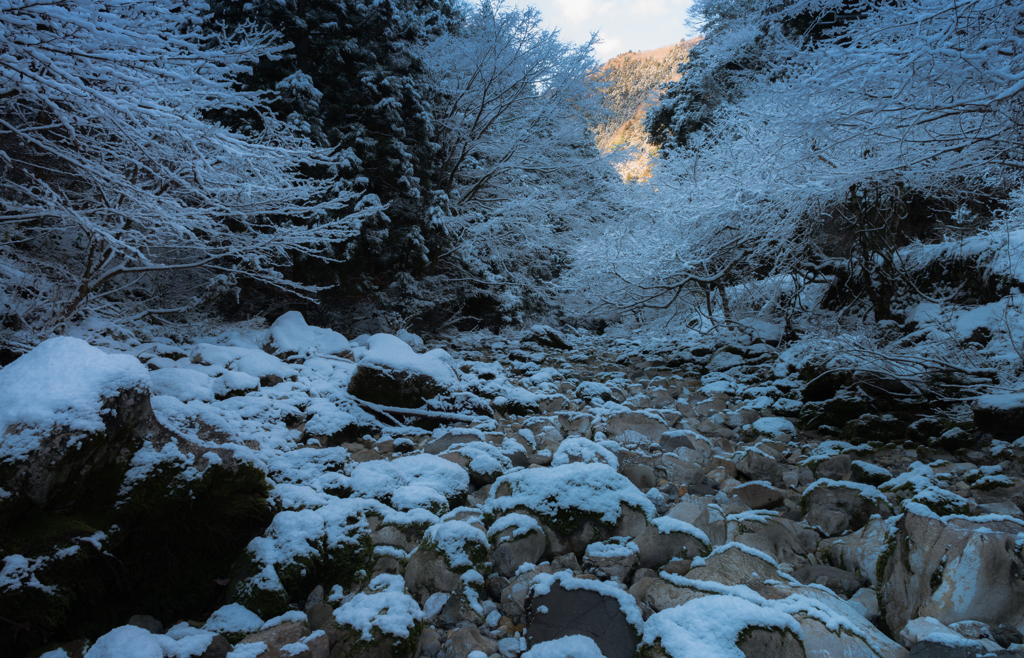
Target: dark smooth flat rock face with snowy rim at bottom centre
point(580, 612)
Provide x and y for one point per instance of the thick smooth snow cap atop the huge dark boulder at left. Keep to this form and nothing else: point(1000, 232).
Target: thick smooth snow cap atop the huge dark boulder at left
point(61, 383)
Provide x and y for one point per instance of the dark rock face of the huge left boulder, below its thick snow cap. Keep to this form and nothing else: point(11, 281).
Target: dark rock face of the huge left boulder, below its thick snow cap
point(103, 552)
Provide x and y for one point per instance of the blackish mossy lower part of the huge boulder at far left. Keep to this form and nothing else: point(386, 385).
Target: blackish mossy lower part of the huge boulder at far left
point(174, 540)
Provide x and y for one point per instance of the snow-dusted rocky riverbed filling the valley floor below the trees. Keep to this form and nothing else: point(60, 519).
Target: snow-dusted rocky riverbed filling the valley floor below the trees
point(291, 493)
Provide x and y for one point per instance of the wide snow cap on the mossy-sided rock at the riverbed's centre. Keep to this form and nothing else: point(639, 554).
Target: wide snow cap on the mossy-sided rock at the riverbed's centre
point(593, 489)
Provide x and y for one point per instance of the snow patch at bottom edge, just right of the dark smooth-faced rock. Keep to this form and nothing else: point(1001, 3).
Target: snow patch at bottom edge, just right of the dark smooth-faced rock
point(710, 627)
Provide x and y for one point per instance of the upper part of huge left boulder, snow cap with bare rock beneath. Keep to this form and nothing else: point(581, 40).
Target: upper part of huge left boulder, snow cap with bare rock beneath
point(69, 411)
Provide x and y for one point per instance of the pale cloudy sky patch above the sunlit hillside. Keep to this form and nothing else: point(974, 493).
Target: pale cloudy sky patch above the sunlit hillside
point(624, 25)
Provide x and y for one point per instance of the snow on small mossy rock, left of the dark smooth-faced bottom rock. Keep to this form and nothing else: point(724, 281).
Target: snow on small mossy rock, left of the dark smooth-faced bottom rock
point(385, 606)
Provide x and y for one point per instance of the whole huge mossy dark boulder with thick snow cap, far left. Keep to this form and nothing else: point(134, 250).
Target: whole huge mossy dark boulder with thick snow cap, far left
point(92, 479)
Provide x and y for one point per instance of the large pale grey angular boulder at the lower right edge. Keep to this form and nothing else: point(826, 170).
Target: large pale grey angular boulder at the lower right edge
point(953, 568)
